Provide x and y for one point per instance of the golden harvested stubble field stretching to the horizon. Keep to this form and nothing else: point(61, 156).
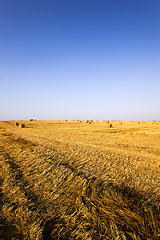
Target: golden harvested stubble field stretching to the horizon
point(75, 180)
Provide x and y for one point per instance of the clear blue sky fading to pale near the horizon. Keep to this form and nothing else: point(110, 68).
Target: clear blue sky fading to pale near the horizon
point(80, 59)
